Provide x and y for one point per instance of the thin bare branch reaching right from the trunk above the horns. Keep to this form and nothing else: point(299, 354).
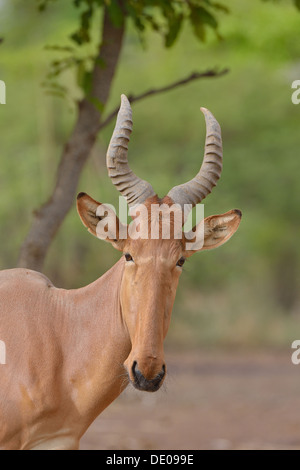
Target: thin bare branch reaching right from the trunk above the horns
point(155, 91)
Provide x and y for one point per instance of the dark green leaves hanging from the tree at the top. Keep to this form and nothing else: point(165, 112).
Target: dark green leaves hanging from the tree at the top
point(162, 16)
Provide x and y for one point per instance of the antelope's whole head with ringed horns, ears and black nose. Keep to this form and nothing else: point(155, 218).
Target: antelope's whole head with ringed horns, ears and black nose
point(152, 265)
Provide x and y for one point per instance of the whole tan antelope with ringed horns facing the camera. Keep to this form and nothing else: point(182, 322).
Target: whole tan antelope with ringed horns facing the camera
point(70, 353)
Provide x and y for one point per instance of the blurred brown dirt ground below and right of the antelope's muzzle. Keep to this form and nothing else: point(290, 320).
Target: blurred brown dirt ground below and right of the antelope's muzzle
point(210, 400)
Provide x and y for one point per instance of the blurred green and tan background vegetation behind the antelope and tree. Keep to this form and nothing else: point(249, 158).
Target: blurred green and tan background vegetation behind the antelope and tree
point(244, 293)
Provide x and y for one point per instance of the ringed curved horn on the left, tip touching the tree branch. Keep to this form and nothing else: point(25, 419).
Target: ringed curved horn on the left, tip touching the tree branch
point(134, 189)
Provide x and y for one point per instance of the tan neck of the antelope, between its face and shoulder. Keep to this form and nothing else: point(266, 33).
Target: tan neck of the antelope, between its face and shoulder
point(95, 368)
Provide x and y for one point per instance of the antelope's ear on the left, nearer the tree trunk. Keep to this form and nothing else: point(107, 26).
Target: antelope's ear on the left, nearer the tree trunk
point(101, 220)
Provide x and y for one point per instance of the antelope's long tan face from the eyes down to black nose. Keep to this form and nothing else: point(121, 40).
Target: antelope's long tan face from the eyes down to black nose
point(152, 268)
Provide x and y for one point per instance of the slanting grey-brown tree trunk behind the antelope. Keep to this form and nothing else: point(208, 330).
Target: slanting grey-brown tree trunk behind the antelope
point(50, 216)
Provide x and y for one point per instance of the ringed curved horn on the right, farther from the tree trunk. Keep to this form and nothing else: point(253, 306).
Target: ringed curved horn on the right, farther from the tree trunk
point(195, 190)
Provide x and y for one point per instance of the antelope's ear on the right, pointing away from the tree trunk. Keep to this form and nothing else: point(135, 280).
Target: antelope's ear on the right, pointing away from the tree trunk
point(212, 232)
